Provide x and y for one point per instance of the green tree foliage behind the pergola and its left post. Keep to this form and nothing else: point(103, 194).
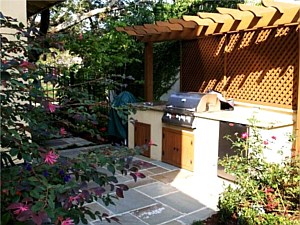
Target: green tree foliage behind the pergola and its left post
point(105, 51)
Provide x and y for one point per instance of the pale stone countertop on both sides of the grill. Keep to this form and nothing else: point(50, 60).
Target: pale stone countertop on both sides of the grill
point(266, 119)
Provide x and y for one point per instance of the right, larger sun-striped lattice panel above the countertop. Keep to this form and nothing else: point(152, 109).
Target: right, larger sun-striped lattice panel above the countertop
point(262, 68)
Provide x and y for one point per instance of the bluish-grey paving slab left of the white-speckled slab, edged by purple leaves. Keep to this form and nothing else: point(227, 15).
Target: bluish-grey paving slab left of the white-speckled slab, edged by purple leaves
point(132, 200)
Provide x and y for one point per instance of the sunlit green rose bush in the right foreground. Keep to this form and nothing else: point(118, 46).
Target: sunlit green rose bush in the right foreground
point(264, 192)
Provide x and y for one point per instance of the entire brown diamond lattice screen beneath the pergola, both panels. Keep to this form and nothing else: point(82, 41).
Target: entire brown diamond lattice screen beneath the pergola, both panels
point(258, 67)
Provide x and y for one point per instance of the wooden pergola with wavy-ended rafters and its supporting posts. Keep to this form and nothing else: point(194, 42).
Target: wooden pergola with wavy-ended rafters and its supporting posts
point(246, 18)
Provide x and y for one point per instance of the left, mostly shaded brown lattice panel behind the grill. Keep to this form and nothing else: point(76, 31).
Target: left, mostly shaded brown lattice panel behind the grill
point(202, 64)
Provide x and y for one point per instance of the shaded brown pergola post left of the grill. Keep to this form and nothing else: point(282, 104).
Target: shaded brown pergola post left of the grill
point(148, 71)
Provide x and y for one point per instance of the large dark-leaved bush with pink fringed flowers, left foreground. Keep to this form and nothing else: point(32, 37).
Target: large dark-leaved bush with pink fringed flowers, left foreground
point(38, 185)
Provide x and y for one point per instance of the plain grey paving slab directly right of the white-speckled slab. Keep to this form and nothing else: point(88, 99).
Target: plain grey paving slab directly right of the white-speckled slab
point(181, 202)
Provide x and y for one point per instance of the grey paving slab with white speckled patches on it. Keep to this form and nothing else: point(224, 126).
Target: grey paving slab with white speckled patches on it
point(156, 214)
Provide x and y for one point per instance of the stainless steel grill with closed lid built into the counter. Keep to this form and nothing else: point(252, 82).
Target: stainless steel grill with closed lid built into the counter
point(181, 107)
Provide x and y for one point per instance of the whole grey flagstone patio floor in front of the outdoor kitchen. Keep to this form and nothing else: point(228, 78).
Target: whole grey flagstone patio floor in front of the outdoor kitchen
point(150, 201)
